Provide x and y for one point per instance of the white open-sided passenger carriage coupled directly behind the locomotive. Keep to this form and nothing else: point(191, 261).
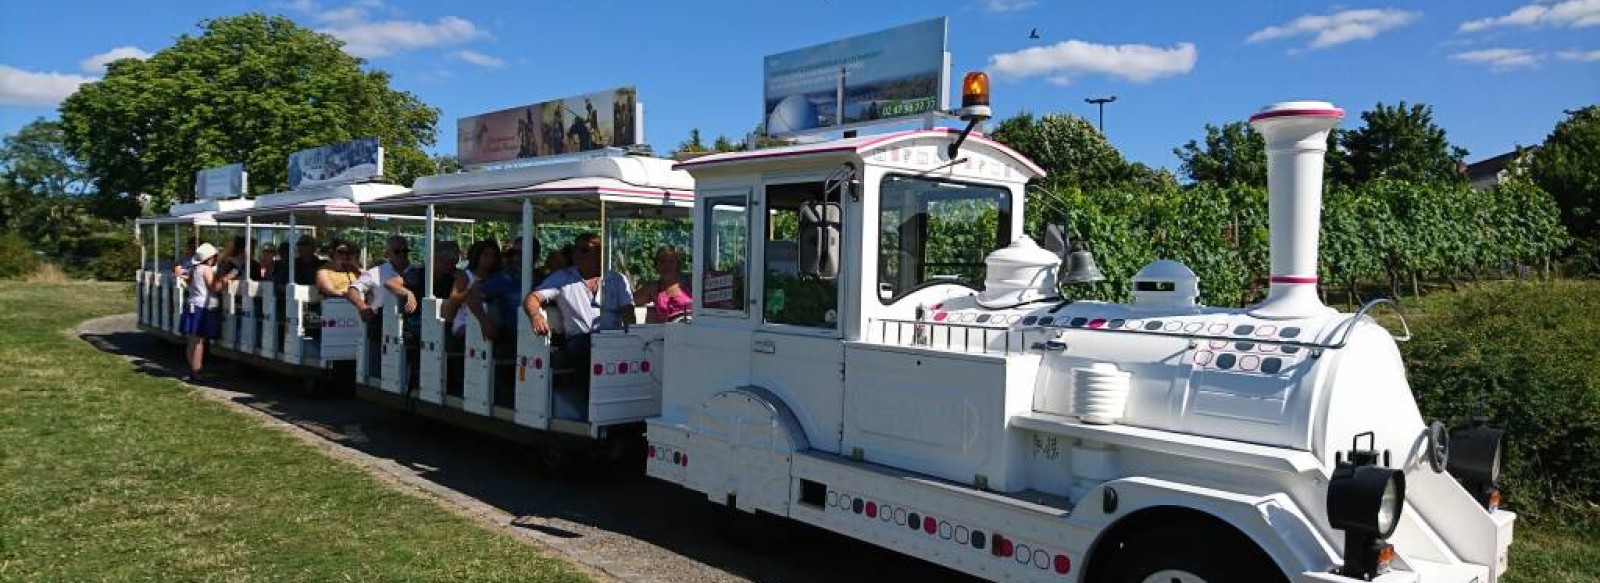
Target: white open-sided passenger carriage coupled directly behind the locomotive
point(524, 388)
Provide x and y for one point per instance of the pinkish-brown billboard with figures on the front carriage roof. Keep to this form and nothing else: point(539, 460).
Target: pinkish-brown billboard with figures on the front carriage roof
point(602, 119)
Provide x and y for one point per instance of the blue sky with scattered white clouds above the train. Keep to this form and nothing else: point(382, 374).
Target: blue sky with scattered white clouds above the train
point(1498, 73)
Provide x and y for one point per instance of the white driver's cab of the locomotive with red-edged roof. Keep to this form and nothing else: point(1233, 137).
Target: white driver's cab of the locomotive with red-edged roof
point(801, 251)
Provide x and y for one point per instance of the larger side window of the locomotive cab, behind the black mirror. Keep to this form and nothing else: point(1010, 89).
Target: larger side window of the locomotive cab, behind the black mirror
point(796, 214)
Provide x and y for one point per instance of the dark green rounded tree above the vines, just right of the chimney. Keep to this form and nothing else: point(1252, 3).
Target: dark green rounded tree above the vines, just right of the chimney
point(1402, 143)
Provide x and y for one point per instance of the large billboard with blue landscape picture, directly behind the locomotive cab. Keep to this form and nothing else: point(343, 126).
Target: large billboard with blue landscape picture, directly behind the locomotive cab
point(889, 74)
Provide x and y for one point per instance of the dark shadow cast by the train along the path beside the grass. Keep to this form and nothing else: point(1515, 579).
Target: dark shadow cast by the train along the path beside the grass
point(508, 476)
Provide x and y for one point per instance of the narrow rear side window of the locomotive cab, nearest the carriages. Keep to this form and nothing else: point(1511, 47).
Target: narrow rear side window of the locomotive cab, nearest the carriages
point(727, 251)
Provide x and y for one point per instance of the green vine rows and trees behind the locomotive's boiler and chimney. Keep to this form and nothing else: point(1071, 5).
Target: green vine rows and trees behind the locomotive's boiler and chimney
point(1398, 209)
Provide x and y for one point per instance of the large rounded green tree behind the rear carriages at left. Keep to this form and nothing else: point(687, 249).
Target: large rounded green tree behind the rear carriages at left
point(249, 89)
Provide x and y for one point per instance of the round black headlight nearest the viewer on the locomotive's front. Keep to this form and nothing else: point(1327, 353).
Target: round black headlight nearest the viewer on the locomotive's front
point(1366, 499)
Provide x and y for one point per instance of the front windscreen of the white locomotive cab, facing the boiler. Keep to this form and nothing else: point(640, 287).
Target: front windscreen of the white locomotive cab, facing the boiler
point(934, 231)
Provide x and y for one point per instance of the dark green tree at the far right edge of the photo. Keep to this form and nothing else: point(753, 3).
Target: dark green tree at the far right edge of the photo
point(1569, 169)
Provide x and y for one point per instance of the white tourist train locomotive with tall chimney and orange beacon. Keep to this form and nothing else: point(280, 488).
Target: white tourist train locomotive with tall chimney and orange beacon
point(1018, 436)
